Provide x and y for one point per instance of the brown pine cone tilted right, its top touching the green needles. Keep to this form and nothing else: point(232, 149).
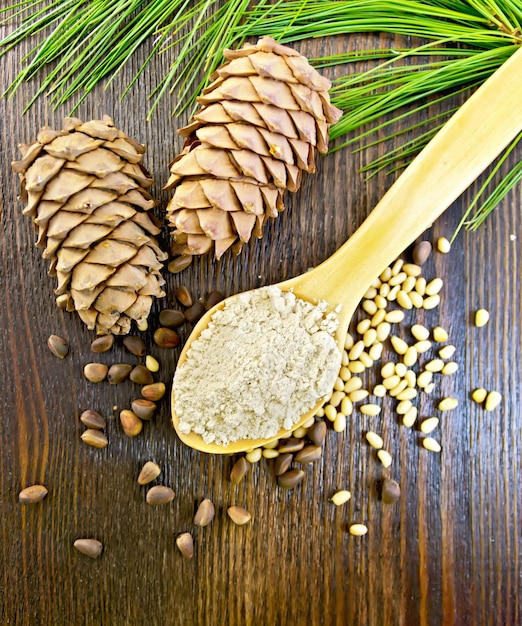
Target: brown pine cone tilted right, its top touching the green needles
point(259, 125)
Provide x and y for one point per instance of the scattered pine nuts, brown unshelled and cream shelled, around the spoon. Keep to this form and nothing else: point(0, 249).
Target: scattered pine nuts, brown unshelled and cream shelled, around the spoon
point(416, 364)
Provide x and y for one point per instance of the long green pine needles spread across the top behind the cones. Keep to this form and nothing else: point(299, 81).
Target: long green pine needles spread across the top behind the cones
point(459, 44)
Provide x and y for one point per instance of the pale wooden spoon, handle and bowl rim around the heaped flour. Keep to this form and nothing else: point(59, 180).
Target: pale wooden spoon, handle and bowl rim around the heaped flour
point(461, 150)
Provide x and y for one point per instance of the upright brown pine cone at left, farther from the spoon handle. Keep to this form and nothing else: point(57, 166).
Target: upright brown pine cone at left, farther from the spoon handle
point(85, 188)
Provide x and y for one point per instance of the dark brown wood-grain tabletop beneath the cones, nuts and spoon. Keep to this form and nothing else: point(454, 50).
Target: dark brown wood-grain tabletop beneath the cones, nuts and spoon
point(448, 553)
